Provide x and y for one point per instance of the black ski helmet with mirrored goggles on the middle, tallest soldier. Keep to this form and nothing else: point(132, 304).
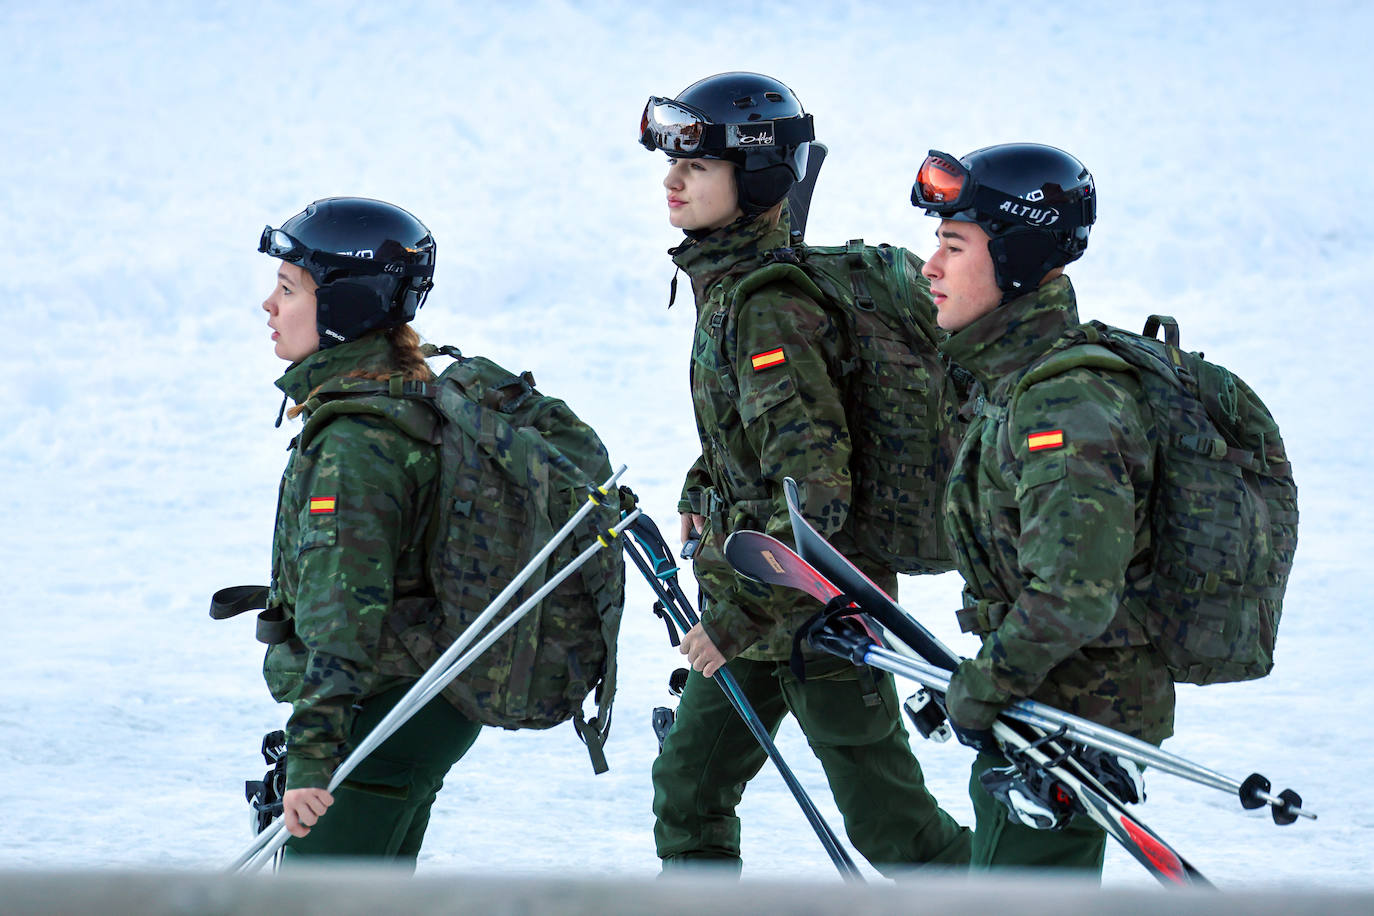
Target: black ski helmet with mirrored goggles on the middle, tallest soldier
point(747, 119)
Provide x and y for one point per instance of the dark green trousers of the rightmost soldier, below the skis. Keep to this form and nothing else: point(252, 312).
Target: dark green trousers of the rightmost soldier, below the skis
point(1001, 844)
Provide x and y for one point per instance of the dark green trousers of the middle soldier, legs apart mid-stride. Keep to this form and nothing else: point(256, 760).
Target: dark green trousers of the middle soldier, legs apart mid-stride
point(853, 722)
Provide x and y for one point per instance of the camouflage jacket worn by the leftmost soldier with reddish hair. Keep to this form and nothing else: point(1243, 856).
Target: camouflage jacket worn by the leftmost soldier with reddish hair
point(350, 540)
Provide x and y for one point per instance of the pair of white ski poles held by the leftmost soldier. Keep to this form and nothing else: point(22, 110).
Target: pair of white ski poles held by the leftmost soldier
point(453, 663)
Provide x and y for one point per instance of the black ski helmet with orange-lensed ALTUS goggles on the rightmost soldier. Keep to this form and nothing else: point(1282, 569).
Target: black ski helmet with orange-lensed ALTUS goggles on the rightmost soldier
point(1035, 203)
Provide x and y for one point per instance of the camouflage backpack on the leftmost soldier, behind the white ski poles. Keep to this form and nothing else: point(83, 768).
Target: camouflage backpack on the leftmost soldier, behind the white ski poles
point(516, 465)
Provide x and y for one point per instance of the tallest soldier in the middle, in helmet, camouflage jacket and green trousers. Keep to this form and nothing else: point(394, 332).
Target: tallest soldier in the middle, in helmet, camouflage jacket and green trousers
point(767, 404)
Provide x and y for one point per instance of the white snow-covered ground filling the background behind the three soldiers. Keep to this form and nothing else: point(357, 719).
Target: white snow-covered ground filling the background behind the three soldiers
point(145, 146)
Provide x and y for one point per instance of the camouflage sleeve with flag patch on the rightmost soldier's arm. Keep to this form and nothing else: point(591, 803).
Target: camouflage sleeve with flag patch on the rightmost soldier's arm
point(1078, 440)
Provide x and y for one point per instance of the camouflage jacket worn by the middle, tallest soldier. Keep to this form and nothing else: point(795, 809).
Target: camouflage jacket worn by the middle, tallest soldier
point(767, 407)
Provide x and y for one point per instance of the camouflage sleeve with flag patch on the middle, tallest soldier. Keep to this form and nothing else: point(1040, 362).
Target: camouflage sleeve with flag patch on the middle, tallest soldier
point(795, 426)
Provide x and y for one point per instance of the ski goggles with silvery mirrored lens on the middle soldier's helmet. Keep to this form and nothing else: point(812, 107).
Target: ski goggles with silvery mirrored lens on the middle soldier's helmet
point(679, 130)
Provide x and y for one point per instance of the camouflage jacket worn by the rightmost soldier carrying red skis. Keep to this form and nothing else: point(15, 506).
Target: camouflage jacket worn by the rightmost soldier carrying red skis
point(1048, 513)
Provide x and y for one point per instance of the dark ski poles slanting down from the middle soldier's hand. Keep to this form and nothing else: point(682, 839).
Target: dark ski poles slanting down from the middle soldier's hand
point(659, 569)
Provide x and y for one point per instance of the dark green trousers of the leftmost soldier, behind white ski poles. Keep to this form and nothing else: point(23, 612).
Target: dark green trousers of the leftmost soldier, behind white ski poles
point(383, 808)
